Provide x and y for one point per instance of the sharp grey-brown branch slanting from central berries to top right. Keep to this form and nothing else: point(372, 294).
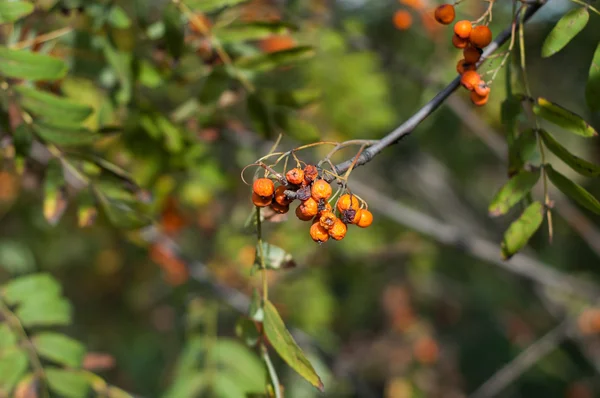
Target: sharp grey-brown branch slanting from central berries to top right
point(408, 126)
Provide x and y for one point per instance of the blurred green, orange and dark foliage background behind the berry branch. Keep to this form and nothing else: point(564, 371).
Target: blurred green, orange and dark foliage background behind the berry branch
point(401, 309)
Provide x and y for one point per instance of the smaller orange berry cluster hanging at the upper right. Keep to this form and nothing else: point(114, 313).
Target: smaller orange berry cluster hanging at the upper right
point(472, 40)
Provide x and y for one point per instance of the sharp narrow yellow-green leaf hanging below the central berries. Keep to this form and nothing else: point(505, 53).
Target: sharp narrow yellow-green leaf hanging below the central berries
point(286, 347)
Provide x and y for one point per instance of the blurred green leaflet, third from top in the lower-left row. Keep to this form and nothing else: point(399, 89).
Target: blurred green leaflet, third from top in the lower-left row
point(59, 348)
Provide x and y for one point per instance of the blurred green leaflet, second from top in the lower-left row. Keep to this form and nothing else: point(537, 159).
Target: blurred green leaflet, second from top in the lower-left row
point(45, 312)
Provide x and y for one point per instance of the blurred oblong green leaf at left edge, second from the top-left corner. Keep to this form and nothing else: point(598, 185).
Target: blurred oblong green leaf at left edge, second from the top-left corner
point(23, 64)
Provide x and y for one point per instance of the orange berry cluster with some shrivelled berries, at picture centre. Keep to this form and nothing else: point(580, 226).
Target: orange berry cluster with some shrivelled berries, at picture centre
point(315, 195)
